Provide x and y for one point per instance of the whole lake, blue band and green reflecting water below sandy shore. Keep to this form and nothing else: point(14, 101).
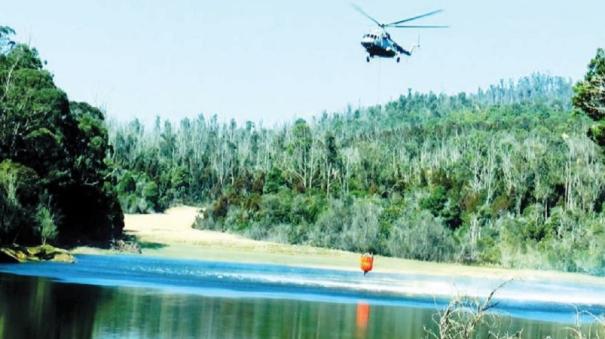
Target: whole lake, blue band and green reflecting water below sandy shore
point(143, 297)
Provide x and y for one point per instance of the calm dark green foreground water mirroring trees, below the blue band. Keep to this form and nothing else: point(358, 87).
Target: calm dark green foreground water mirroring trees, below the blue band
point(33, 307)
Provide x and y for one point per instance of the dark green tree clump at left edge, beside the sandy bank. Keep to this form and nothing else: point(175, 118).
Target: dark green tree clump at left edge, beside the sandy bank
point(54, 182)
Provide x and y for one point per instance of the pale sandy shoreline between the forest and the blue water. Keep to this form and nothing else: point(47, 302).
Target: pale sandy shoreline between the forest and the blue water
point(170, 235)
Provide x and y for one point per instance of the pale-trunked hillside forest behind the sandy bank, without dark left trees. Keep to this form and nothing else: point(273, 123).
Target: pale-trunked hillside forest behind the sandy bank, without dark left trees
point(504, 176)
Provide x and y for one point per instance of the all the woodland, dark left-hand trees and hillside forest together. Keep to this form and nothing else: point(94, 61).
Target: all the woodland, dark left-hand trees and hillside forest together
point(511, 175)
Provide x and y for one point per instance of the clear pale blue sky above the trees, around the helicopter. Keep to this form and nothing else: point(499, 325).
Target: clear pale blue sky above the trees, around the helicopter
point(272, 61)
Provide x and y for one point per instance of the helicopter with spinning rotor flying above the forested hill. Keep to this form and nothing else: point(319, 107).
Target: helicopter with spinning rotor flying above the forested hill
point(379, 42)
